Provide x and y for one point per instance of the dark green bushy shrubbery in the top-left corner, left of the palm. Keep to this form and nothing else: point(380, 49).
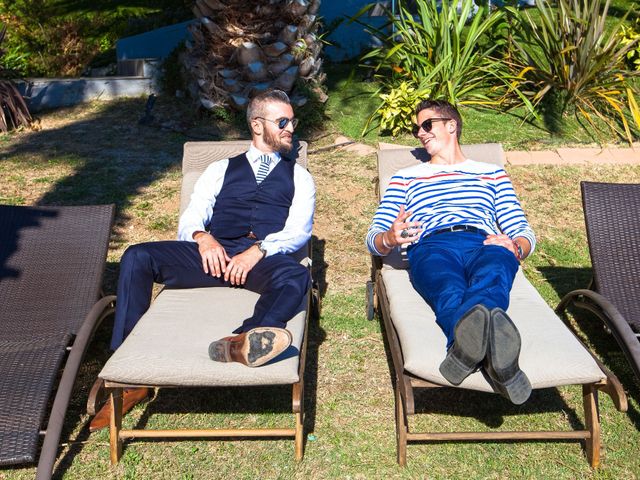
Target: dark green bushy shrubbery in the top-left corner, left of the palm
point(61, 38)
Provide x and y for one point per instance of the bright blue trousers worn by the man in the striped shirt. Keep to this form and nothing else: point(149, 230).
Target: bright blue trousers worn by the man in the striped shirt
point(454, 271)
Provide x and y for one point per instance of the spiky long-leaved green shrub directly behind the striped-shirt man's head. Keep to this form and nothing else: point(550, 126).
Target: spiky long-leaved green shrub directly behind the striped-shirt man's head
point(440, 52)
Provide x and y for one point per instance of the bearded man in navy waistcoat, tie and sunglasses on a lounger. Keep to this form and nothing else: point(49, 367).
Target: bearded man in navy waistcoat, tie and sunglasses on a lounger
point(245, 216)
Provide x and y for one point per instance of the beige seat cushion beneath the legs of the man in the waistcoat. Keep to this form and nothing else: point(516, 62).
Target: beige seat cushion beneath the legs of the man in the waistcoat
point(169, 345)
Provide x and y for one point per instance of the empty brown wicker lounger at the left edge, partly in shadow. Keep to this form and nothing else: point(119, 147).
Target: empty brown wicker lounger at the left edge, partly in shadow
point(51, 265)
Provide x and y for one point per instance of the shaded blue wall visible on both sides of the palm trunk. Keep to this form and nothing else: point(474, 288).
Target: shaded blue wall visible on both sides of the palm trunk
point(347, 41)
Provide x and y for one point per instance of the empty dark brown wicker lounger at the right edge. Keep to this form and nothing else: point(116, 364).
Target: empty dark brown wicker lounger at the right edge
point(612, 216)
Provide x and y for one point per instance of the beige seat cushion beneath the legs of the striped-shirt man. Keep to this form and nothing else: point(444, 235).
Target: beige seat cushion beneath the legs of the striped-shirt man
point(550, 356)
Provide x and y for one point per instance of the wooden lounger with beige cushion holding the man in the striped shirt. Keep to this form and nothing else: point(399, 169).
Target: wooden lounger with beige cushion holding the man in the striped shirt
point(551, 355)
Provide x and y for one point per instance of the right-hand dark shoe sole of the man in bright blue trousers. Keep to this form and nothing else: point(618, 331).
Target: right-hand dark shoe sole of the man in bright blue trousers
point(504, 357)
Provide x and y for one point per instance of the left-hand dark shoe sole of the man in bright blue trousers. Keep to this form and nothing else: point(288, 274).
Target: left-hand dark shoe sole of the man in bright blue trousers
point(469, 348)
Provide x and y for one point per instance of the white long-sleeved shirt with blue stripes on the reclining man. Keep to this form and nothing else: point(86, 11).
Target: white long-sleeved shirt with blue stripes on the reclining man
point(440, 196)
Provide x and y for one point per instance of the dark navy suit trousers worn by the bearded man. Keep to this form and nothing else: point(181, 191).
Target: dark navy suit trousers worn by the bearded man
point(281, 281)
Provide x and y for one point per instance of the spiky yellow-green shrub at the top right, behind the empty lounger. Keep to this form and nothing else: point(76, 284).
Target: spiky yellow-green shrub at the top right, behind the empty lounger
point(572, 64)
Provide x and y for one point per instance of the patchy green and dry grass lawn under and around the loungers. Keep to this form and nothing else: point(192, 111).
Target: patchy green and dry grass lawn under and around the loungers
point(98, 153)
